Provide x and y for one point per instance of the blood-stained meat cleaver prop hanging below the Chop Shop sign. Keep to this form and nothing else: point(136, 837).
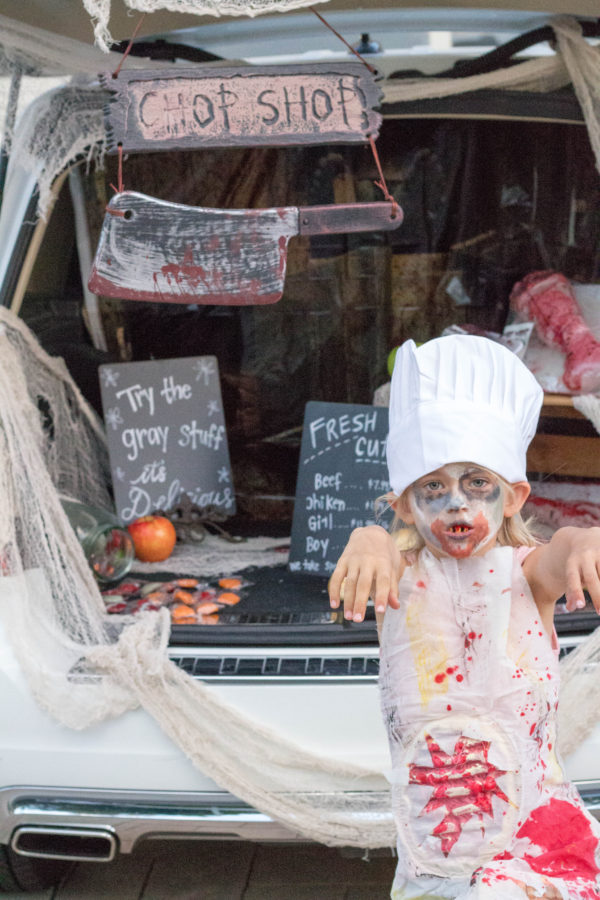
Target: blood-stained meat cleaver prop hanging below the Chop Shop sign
point(154, 250)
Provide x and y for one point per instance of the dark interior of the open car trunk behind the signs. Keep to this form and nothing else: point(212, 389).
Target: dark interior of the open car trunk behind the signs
point(492, 188)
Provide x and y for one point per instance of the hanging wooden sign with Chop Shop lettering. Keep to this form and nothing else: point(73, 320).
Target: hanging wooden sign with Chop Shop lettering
point(244, 106)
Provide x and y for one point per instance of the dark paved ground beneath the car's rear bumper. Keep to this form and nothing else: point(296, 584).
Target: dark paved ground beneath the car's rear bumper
point(227, 870)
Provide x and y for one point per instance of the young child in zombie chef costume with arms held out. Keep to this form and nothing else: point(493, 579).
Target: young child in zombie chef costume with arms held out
point(469, 654)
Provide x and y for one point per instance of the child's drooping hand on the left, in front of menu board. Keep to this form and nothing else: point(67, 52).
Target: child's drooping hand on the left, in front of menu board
point(371, 565)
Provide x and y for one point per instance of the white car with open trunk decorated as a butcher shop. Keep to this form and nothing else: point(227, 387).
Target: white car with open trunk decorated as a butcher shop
point(492, 184)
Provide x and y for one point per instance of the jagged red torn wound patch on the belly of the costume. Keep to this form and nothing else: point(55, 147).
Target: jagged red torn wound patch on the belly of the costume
point(463, 783)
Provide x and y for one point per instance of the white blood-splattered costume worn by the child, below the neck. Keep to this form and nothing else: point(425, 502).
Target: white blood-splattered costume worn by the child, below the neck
point(469, 690)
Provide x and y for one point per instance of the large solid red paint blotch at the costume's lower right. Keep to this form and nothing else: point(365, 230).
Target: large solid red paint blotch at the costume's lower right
point(565, 838)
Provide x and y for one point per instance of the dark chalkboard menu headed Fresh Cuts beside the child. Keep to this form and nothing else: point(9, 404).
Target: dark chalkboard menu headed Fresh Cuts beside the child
point(342, 471)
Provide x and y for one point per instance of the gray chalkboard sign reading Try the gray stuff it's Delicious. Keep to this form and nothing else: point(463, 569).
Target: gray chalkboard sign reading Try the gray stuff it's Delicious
point(166, 435)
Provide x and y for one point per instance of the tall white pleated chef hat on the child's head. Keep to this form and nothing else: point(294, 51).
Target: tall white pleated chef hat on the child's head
point(460, 398)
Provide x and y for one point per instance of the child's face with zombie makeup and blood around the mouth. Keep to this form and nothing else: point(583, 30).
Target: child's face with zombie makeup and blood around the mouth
point(458, 509)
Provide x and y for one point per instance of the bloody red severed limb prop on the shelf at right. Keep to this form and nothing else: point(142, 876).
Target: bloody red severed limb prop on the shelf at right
point(547, 299)
